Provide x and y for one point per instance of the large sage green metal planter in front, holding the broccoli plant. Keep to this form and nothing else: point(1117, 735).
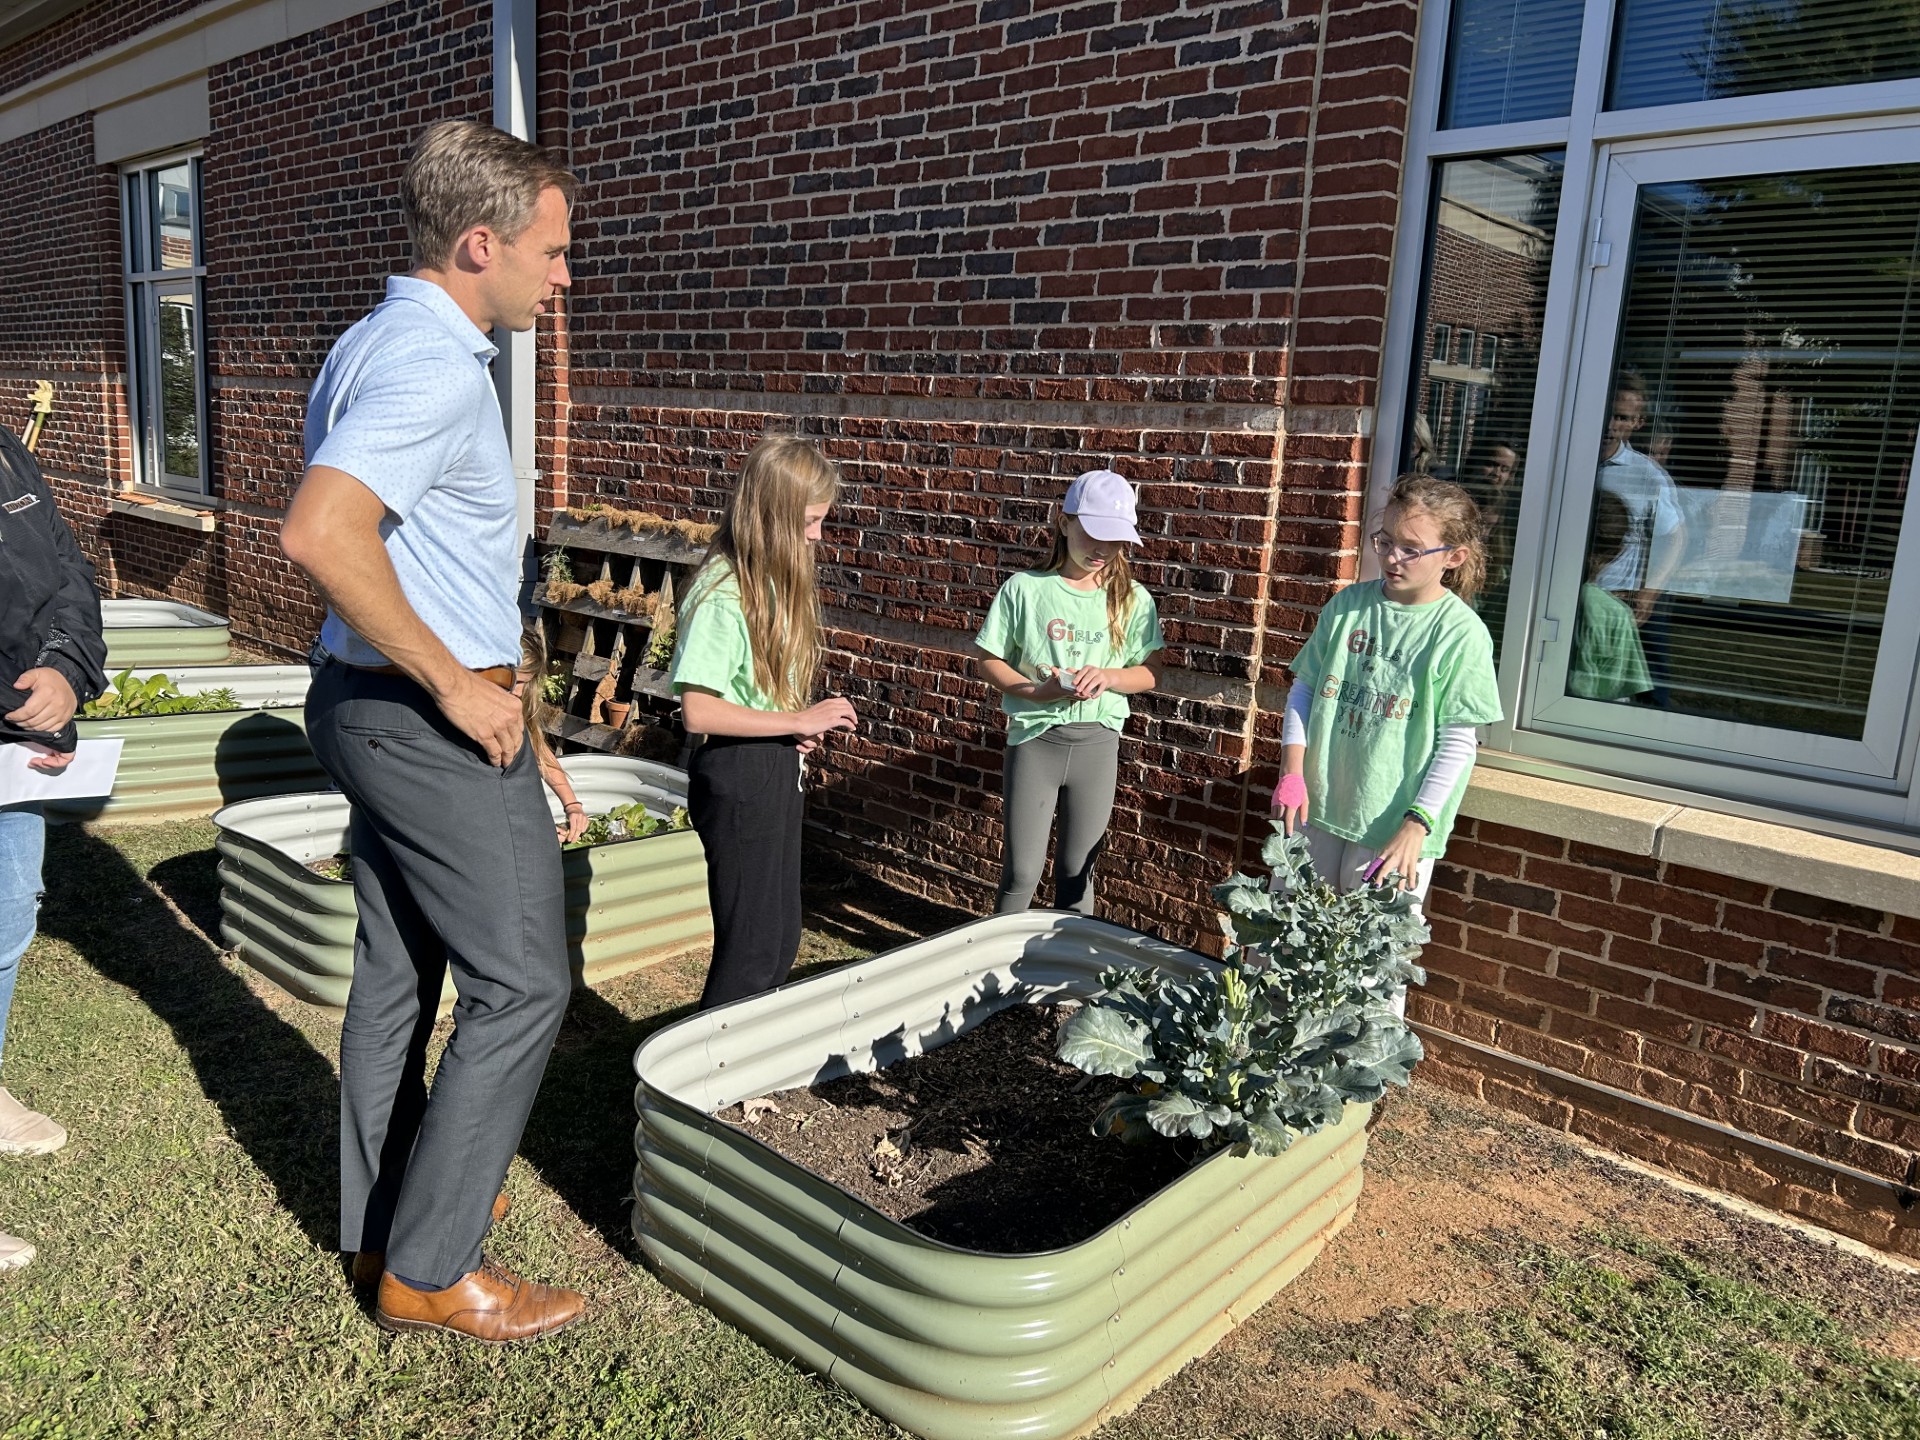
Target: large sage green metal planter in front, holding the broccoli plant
point(957, 1345)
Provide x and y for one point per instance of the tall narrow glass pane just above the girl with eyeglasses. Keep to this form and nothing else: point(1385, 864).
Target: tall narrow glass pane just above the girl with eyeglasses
point(1487, 266)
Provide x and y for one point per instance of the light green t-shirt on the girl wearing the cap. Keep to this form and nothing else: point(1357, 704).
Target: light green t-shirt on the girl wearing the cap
point(1042, 621)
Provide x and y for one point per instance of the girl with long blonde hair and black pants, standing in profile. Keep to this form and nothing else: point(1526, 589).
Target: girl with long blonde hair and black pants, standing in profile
point(746, 661)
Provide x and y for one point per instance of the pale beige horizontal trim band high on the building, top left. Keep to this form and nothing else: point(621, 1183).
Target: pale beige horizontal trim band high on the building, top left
point(164, 57)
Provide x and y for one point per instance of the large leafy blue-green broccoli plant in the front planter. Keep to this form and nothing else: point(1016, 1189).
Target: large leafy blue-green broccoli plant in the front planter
point(1299, 1022)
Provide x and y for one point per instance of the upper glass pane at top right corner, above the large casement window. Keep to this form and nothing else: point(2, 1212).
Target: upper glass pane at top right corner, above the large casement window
point(1679, 51)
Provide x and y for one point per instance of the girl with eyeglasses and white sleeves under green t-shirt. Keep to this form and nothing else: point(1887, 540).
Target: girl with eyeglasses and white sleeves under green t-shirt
point(1380, 731)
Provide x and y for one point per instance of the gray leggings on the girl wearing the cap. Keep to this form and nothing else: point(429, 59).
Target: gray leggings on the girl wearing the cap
point(1068, 763)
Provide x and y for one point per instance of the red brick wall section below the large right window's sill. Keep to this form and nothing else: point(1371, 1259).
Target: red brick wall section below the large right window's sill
point(1765, 1011)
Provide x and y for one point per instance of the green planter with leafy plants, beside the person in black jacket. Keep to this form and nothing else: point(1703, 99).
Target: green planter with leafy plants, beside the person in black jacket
point(176, 767)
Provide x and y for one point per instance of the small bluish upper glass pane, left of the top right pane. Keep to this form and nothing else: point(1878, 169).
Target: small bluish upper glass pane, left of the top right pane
point(1510, 60)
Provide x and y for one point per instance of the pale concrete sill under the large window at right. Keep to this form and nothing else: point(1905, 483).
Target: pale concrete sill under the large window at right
point(1850, 873)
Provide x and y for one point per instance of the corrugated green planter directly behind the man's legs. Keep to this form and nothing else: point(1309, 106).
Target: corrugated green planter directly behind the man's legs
point(629, 905)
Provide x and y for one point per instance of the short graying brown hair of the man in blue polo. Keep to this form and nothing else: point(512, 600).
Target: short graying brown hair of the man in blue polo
point(462, 176)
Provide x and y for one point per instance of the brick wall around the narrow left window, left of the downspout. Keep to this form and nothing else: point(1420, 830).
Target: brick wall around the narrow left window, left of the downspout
point(302, 228)
